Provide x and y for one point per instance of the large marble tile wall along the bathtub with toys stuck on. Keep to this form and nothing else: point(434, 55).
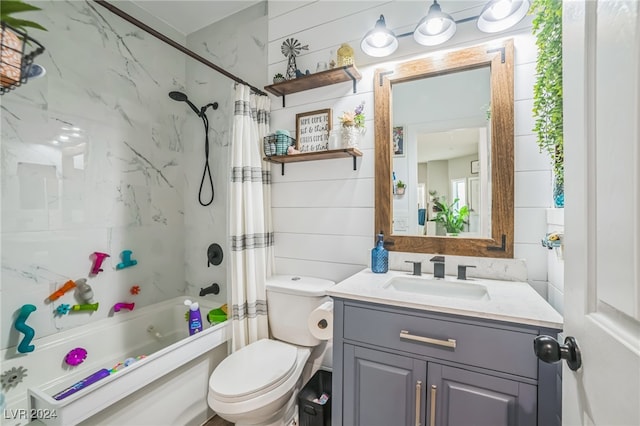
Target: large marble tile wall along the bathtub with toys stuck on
point(93, 159)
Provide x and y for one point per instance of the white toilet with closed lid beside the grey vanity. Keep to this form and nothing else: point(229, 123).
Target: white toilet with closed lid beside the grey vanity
point(258, 384)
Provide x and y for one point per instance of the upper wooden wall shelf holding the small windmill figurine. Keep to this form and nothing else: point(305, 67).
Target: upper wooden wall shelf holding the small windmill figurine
point(319, 79)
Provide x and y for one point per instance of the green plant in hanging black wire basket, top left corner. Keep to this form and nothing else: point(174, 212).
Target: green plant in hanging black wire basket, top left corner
point(14, 63)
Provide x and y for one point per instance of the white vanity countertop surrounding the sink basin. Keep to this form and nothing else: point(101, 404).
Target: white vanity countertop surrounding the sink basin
point(510, 301)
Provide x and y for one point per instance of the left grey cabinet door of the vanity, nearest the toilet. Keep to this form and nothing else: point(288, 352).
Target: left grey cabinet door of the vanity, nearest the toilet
point(382, 389)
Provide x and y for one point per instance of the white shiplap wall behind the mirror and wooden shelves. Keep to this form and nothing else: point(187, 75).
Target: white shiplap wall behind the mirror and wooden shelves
point(323, 210)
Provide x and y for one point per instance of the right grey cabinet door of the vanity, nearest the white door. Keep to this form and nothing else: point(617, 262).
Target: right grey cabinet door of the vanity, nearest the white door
point(464, 398)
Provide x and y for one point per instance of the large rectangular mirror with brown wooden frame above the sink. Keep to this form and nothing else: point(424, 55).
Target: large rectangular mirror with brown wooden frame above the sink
point(444, 138)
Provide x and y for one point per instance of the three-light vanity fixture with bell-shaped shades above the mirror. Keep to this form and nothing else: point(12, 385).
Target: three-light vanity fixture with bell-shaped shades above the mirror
point(437, 26)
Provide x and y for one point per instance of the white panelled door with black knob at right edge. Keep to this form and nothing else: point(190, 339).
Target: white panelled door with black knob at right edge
point(602, 188)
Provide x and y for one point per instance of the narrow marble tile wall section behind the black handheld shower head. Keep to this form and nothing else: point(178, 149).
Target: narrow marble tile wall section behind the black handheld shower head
point(237, 45)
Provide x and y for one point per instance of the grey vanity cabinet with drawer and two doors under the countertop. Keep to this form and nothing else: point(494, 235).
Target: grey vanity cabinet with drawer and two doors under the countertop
point(400, 366)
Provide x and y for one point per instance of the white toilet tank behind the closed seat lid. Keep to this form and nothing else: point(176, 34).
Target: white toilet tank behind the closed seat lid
point(290, 300)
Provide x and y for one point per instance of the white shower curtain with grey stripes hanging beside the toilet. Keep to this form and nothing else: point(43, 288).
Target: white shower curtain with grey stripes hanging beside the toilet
point(251, 231)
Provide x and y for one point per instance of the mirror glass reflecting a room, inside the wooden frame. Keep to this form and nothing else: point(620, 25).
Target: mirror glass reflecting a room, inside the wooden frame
point(446, 139)
